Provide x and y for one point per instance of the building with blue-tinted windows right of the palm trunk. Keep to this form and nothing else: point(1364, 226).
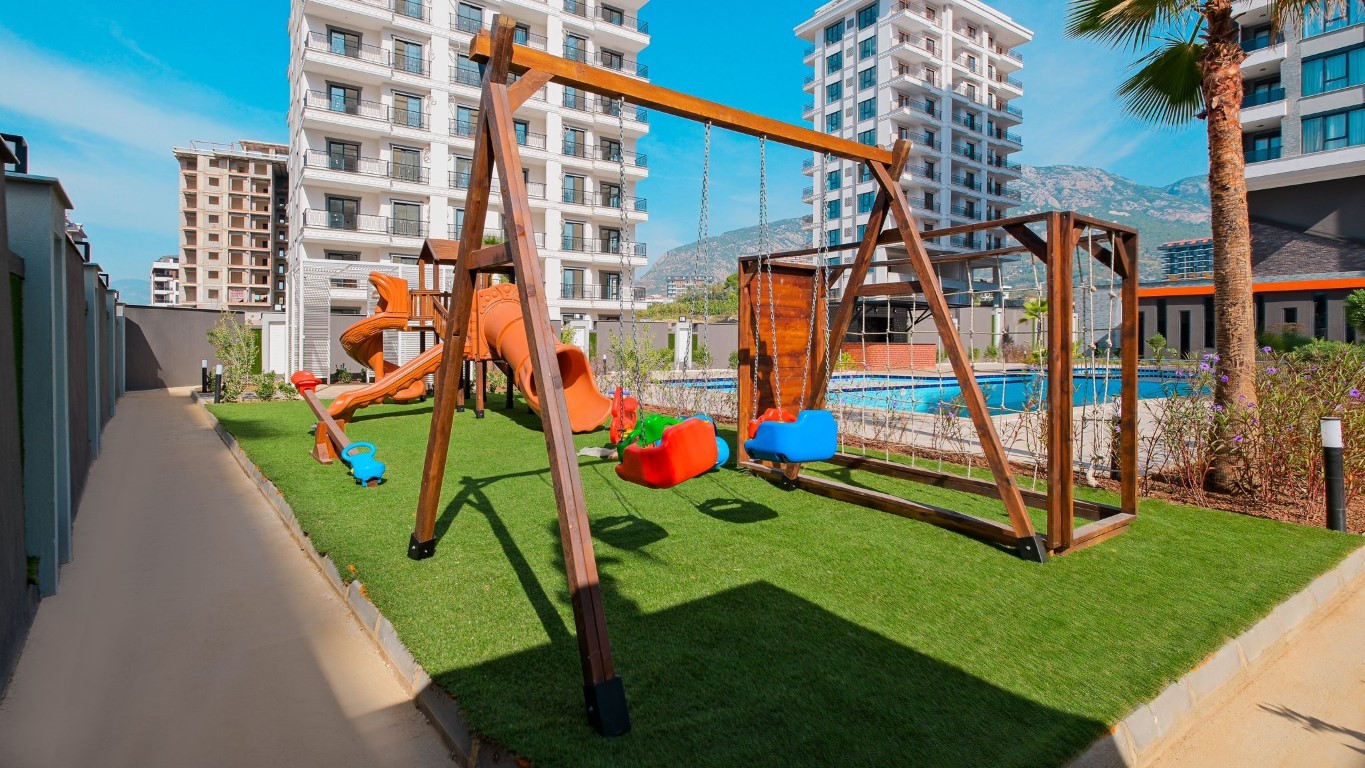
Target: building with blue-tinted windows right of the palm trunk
point(1304, 118)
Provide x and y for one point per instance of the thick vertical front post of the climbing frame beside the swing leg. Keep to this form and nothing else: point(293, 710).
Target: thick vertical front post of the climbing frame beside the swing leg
point(1061, 391)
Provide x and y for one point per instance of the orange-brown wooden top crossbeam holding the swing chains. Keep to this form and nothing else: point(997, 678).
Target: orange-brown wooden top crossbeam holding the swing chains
point(642, 93)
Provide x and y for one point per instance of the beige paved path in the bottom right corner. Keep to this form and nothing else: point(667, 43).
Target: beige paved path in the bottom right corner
point(1303, 706)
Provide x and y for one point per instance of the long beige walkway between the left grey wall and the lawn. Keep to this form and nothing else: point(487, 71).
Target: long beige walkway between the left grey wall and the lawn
point(192, 631)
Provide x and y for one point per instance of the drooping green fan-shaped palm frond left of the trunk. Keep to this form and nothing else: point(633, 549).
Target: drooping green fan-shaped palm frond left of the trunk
point(1166, 85)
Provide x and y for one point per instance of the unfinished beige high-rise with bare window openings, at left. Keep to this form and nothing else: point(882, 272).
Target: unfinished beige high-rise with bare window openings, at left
point(234, 226)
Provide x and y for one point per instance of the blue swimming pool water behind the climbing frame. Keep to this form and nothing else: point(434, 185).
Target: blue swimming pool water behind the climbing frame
point(1005, 394)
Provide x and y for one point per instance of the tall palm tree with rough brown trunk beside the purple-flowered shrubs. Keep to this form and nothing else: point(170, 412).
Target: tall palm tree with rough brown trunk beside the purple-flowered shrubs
point(1195, 73)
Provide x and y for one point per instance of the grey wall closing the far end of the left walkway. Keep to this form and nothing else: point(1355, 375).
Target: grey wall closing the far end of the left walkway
point(164, 346)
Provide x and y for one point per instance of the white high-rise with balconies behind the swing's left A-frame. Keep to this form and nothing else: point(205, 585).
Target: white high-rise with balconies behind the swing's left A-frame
point(384, 104)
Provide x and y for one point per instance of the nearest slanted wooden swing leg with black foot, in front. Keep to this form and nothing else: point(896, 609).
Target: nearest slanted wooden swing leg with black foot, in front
point(604, 694)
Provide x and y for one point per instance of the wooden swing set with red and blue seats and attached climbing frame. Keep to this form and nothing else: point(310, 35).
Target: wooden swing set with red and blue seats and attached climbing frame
point(786, 426)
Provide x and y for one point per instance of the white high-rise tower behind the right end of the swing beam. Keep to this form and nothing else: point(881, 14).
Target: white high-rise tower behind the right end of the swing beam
point(941, 74)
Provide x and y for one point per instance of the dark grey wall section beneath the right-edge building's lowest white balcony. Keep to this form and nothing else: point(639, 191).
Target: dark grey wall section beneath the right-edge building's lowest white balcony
point(1323, 208)
